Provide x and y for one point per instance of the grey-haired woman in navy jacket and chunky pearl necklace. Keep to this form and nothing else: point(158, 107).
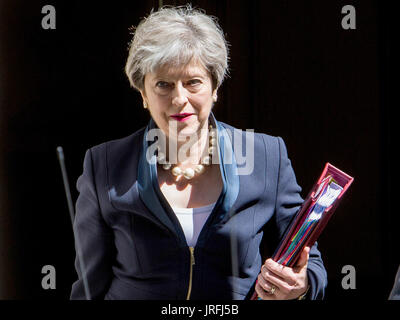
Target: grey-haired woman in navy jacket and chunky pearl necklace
point(167, 213)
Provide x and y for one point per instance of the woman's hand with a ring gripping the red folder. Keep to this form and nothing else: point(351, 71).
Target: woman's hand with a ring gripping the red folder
point(289, 283)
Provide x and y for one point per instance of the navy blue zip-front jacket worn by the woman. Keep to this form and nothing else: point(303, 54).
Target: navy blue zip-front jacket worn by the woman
point(134, 247)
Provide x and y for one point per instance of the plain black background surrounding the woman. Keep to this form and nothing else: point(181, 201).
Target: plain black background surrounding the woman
point(294, 72)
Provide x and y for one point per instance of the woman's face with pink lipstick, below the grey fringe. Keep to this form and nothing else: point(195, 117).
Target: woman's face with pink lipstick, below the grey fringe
point(181, 97)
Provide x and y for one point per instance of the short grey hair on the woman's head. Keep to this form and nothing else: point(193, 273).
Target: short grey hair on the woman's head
point(174, 36)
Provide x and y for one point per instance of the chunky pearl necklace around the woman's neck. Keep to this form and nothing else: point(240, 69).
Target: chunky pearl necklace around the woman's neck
point(189, 173)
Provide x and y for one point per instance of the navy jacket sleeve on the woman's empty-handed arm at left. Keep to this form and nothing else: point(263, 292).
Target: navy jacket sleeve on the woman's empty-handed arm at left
point(94, 238)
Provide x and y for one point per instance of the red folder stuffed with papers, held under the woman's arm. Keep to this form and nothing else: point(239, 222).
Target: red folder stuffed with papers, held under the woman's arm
point(333, 174)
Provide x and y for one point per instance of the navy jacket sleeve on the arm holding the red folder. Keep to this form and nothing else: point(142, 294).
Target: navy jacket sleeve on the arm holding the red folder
point(288, 202)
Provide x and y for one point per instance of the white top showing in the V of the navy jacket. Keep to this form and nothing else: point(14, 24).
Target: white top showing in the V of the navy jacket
point(192, 221)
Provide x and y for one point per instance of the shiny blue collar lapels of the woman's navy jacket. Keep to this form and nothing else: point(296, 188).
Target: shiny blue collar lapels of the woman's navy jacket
point(153, 198)
